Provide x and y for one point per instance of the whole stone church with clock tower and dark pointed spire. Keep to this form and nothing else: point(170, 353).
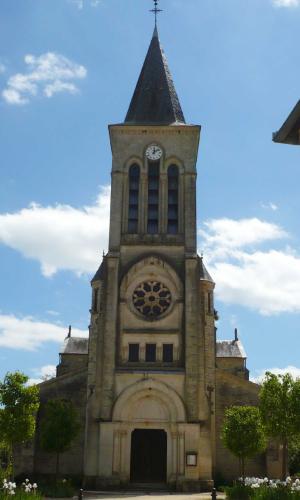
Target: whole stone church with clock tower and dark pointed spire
point(151, 383)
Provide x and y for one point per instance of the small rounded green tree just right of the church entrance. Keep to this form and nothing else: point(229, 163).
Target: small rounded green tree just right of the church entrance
point(243, 433)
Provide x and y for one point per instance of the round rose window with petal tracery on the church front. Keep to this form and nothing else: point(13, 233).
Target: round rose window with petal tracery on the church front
point(152, 298)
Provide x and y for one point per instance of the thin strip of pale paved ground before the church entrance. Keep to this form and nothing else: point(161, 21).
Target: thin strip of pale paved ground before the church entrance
point(157, 496)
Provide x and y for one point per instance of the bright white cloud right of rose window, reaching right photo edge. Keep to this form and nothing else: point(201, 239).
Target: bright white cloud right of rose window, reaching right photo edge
point(265, 281)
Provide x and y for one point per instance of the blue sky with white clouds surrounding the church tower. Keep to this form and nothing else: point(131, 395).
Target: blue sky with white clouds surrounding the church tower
point(67, 69)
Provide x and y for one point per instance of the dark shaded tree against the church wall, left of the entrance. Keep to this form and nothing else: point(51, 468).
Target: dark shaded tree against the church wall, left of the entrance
point(59, 427)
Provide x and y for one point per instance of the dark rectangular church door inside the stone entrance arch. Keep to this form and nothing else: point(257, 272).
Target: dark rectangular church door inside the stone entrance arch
point(148, 463)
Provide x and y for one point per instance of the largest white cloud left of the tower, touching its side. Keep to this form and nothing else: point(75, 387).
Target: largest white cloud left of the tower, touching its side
point(60, 237)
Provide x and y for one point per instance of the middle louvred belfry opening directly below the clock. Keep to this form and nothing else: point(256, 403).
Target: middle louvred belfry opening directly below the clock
point(153, 197)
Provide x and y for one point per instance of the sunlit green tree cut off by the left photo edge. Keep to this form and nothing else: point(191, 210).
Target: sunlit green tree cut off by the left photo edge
point(18, 406)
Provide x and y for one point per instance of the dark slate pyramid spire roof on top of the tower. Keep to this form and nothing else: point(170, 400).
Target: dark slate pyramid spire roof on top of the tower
point(155, 100)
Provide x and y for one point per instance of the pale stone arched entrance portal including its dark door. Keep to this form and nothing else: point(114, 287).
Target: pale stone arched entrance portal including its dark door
point(149, 417)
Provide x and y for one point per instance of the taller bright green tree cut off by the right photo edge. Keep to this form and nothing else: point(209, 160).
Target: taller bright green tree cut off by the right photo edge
point(280, 409)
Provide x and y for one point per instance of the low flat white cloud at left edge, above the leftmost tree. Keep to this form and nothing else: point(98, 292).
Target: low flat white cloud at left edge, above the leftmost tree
point(28, 333)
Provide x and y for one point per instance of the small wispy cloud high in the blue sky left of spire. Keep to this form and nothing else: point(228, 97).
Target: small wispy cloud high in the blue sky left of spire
point(46, 75)
